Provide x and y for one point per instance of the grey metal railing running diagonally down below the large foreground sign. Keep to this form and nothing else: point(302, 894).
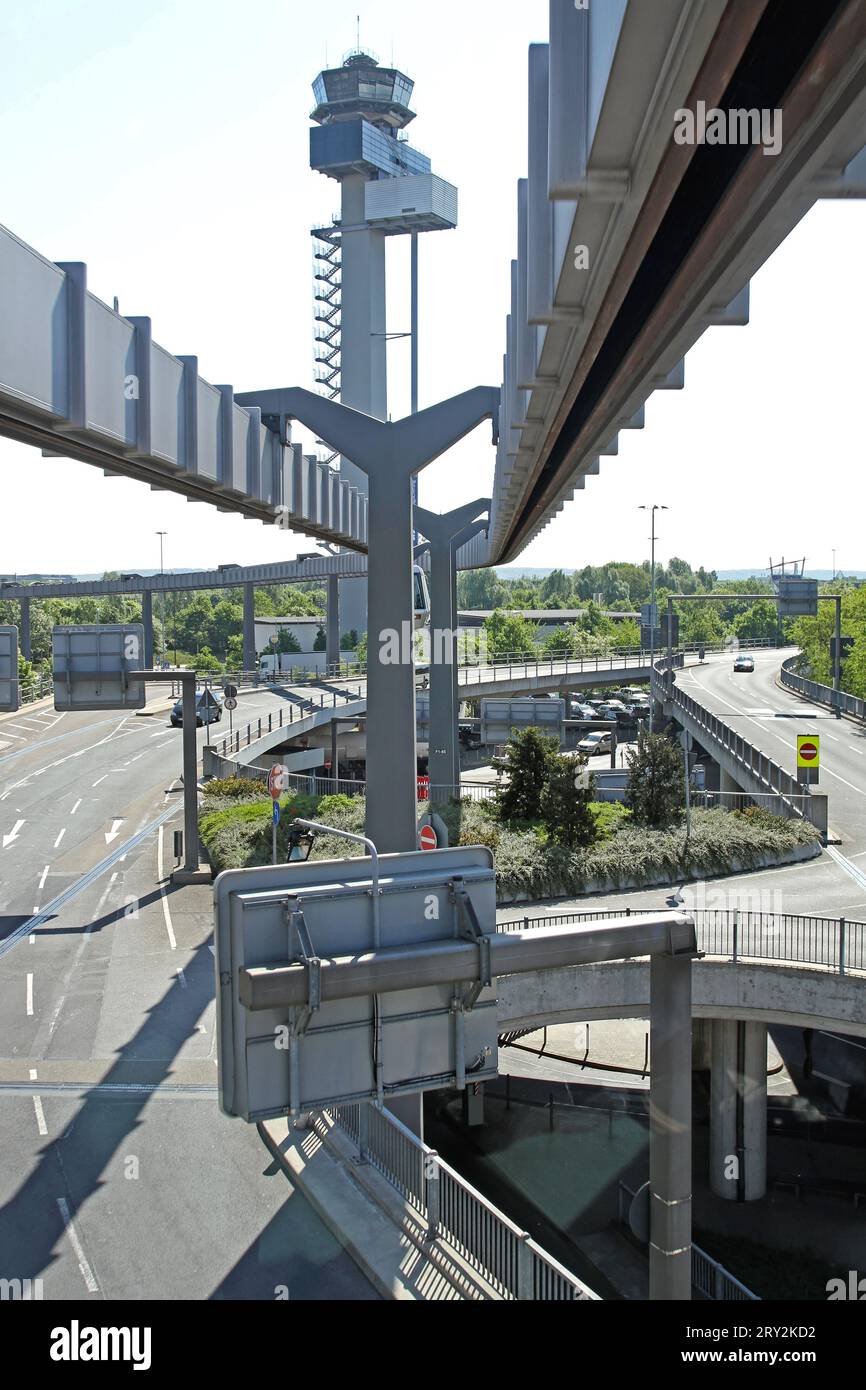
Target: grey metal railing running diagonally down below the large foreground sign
point(455, 1213)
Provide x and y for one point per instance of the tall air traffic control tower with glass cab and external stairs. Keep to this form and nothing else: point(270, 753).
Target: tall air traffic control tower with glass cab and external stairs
point(389, 190)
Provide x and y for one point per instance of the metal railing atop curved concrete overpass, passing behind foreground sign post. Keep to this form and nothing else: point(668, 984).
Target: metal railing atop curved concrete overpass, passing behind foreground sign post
point(737, 935)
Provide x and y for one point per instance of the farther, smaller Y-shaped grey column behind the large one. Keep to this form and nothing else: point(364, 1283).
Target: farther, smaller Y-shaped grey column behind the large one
point(441, 533)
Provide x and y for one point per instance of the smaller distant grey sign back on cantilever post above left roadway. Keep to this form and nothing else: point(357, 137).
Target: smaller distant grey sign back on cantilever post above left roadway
point(92, 665)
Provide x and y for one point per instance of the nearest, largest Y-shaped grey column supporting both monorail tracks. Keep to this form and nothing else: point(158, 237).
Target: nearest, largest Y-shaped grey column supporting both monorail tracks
point(391, 455)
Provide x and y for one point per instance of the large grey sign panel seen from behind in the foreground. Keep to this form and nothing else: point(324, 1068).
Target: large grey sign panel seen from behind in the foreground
point(284, 1061)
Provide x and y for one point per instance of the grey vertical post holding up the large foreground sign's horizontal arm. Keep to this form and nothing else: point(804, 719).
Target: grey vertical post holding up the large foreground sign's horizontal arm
point(671, 1128)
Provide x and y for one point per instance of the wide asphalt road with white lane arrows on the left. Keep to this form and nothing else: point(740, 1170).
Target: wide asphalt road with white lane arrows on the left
point(120, 1178)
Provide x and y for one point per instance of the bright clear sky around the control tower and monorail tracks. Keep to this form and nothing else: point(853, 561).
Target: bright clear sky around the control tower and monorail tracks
point(166, 145)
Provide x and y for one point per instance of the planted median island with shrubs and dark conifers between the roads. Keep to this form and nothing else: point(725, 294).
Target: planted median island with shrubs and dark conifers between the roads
point(550, 835)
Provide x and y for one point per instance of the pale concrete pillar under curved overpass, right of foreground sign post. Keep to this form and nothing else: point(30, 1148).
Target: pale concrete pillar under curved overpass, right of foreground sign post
point(739, 1111)
